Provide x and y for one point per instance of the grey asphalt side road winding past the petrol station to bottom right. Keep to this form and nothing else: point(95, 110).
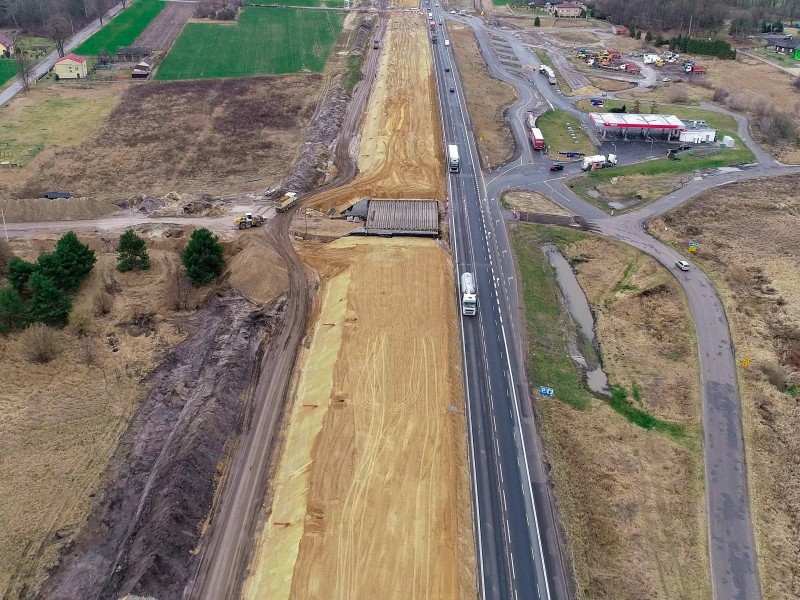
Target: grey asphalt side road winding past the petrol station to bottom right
point(733, 561)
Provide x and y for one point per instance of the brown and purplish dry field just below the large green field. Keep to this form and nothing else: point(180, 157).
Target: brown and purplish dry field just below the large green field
point(213, 137)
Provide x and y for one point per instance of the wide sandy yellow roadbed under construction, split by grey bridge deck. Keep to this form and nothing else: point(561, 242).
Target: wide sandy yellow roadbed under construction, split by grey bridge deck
point(373, 477)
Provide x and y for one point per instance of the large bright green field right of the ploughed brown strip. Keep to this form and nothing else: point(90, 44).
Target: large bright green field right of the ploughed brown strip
point(264, 41)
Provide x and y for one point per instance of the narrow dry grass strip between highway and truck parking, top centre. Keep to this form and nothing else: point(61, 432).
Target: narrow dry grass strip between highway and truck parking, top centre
point(487, 98)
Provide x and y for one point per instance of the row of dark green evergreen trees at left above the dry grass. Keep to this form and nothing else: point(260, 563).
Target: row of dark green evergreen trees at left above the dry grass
point(42, 291)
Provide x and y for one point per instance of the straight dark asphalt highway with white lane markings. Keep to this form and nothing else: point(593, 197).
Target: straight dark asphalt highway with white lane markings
point(516, 537)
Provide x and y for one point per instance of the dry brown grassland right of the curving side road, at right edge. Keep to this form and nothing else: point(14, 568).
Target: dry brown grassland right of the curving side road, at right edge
point(760, 286)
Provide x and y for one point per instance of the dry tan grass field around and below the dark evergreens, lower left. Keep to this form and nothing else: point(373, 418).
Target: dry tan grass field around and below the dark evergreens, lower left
point(61, 421)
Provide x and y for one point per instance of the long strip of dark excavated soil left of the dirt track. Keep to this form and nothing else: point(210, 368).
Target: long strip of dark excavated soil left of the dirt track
point(141, 532)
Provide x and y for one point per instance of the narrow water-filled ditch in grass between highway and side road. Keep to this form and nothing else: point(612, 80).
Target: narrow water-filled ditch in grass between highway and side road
point(586, 354)
